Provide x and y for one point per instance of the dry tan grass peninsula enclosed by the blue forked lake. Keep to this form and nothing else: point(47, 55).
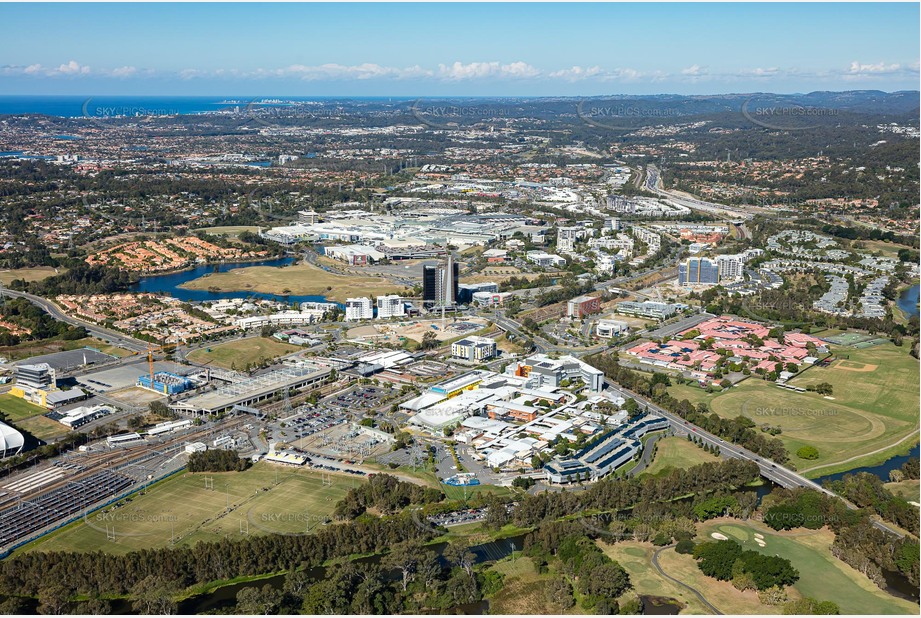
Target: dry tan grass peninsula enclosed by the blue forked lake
point(300, 279)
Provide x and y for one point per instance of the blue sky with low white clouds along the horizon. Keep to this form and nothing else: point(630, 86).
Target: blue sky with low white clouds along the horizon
point(454, 49)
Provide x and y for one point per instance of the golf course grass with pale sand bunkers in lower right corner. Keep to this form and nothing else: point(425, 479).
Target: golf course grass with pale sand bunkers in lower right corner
point(822, 576)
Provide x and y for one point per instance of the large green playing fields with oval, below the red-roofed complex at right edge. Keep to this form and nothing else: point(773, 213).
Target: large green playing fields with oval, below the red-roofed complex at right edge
point(874, 404)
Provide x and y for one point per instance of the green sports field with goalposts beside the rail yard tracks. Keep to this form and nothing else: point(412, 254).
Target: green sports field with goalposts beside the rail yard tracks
point(182, 509)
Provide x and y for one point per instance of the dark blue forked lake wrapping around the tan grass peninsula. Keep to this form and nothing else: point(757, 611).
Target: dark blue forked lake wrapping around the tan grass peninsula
point(168, 285)
